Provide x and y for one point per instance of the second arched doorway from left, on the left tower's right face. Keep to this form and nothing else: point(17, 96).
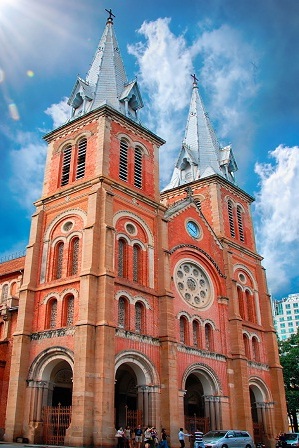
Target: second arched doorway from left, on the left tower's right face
point(136, 390)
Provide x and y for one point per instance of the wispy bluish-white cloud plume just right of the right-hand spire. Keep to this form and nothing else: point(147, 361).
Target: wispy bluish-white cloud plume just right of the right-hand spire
point(228, 75)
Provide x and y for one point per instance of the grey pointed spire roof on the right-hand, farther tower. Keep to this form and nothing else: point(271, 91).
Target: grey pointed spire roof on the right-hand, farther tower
point(201, 155)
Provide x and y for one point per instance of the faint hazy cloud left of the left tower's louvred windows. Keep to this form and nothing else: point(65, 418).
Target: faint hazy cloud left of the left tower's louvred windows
point(26, 183)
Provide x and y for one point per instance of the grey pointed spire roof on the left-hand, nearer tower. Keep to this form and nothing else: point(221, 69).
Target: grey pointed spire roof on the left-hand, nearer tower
point(106, 81)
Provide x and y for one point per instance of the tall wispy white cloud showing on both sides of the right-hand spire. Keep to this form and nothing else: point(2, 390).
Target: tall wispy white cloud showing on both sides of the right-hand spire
point(227, 74)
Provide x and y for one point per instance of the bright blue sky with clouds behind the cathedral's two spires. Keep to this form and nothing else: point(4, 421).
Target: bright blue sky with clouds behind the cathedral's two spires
point(245, 55)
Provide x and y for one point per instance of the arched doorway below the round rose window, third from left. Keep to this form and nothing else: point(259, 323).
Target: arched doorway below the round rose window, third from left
point(202, 400)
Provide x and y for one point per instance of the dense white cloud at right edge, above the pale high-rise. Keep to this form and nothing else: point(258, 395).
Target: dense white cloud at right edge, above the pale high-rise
point(278, 212)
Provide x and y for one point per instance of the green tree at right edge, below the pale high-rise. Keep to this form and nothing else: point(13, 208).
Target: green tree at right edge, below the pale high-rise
point(289, 358)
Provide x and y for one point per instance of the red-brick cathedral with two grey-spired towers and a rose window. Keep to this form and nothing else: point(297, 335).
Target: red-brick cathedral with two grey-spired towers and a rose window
point(136, 306)
